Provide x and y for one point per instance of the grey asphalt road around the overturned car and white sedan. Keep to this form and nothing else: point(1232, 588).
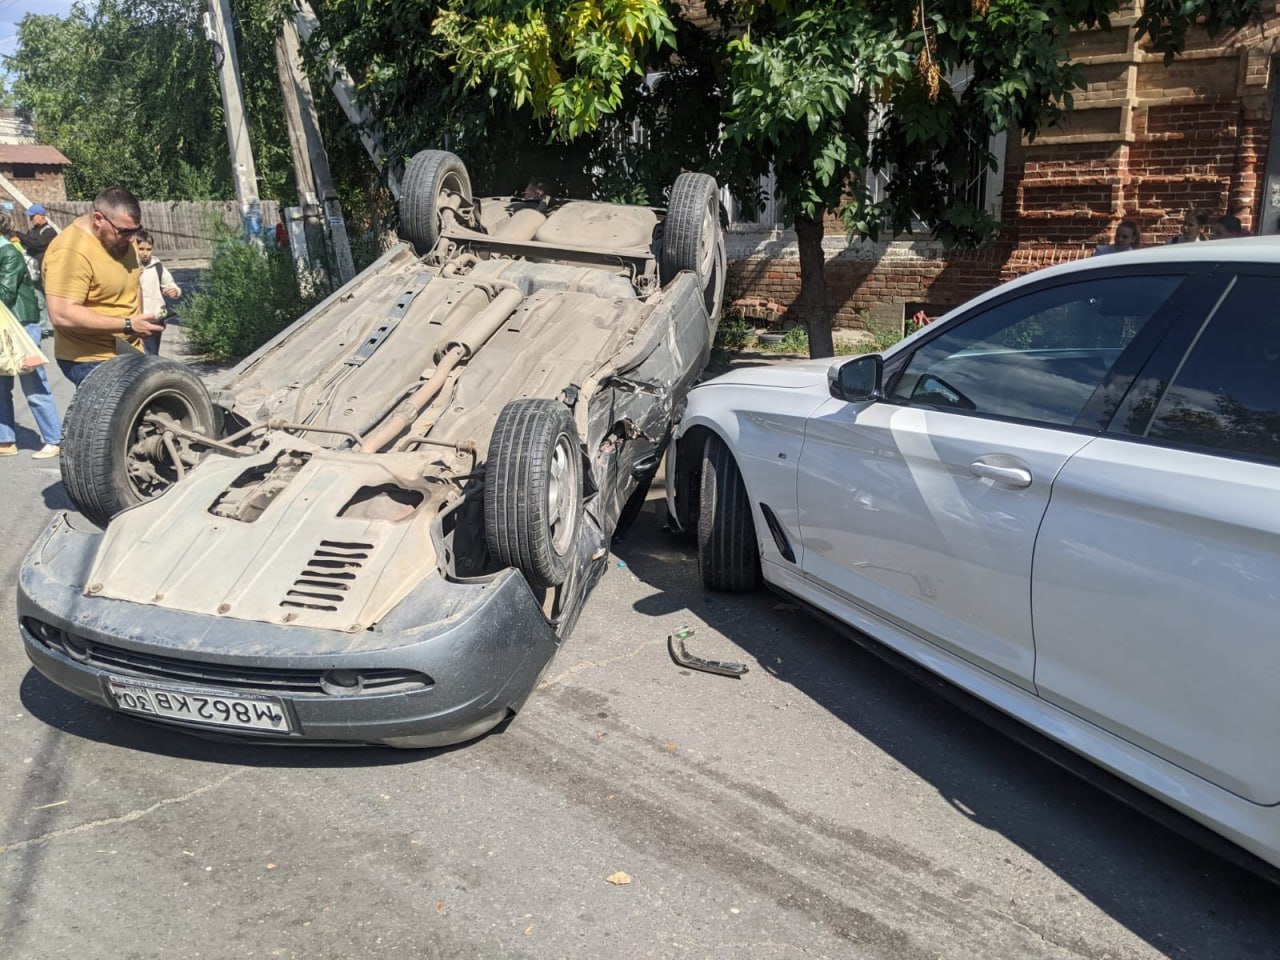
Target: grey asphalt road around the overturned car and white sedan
point(824, 806)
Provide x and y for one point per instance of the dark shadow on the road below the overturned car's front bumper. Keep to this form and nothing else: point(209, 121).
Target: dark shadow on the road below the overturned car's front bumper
point(62, 711)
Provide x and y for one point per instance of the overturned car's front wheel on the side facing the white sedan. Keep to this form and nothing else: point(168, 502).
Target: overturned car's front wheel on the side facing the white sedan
point(533, 491)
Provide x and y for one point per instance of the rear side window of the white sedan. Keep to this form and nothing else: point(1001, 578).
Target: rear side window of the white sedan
point(1227, 394)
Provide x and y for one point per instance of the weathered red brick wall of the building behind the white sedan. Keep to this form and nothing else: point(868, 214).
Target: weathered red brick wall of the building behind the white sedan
point(1145, 143)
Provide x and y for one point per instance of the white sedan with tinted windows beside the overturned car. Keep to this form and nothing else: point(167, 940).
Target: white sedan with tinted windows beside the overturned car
point(1063, 497)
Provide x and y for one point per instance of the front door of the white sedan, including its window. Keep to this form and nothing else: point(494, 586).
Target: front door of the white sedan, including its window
point(924, 509)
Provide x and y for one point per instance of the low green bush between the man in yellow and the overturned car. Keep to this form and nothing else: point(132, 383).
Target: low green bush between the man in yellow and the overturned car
point(245, 298)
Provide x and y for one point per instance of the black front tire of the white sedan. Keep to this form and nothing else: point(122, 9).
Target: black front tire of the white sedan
point(729, 557)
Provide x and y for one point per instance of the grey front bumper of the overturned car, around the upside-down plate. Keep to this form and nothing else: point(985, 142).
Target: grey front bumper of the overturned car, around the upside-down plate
point(449, 664)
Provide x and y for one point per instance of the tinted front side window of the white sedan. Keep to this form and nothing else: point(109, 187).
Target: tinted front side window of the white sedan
point(1037, 358)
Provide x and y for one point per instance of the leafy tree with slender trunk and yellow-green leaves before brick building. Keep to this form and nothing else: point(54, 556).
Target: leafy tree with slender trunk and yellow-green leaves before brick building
point(821, 92)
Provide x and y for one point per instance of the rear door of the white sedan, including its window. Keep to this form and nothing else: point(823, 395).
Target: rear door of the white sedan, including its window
point(1156, 588)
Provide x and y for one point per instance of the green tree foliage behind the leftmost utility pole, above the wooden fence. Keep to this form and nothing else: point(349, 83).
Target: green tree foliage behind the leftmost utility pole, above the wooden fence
point(130, 94)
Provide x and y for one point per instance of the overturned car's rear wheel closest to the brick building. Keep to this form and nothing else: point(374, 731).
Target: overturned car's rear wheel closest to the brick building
point(693, 240)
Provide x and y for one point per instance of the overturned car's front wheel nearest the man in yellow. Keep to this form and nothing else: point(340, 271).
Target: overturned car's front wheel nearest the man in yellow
point(112, 458)
